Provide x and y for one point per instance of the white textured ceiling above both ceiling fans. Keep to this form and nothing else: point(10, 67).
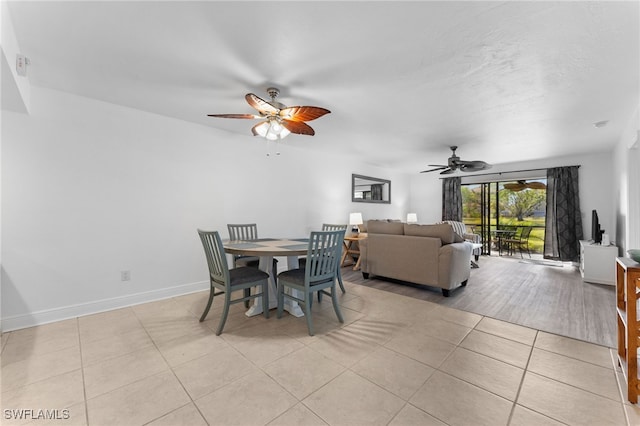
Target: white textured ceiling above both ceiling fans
point(505, 81)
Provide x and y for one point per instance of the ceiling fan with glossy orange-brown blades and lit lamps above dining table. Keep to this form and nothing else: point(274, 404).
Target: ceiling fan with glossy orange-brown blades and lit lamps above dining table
point(279, 120)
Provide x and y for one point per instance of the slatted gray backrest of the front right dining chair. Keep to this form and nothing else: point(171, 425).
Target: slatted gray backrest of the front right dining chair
point(323, 256)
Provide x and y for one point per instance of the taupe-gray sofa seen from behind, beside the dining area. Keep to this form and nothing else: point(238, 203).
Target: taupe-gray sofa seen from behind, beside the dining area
point(431, 255)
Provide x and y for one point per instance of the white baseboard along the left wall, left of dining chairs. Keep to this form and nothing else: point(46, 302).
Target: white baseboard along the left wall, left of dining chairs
point(66, 312)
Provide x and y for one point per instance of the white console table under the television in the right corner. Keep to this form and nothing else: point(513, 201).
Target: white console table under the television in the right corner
point(598, 263)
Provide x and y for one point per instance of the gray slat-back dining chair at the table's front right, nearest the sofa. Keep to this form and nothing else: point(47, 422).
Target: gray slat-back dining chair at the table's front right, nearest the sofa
point(318, 275)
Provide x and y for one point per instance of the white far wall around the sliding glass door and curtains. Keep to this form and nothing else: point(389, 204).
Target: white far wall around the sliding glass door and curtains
point(595, 187)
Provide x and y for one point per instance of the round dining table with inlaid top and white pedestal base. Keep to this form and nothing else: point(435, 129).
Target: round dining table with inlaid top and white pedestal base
point(265, 249)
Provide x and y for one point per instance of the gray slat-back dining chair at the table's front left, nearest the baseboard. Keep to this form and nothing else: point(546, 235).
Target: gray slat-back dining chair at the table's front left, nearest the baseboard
point(229, 280)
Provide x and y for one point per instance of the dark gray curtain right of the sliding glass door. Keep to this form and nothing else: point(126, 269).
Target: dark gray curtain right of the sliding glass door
point(563, 226)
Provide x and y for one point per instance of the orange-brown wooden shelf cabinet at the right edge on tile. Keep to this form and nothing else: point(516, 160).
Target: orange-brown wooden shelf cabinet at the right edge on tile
point(627, 288)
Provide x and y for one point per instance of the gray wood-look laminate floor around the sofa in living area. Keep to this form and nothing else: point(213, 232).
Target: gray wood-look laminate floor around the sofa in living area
point(538, 294)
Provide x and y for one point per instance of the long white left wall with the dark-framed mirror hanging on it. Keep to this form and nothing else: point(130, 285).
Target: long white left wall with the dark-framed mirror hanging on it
point(90, 189)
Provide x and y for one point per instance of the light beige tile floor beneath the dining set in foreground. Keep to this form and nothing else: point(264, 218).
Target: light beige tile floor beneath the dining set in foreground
point(396, 360)
